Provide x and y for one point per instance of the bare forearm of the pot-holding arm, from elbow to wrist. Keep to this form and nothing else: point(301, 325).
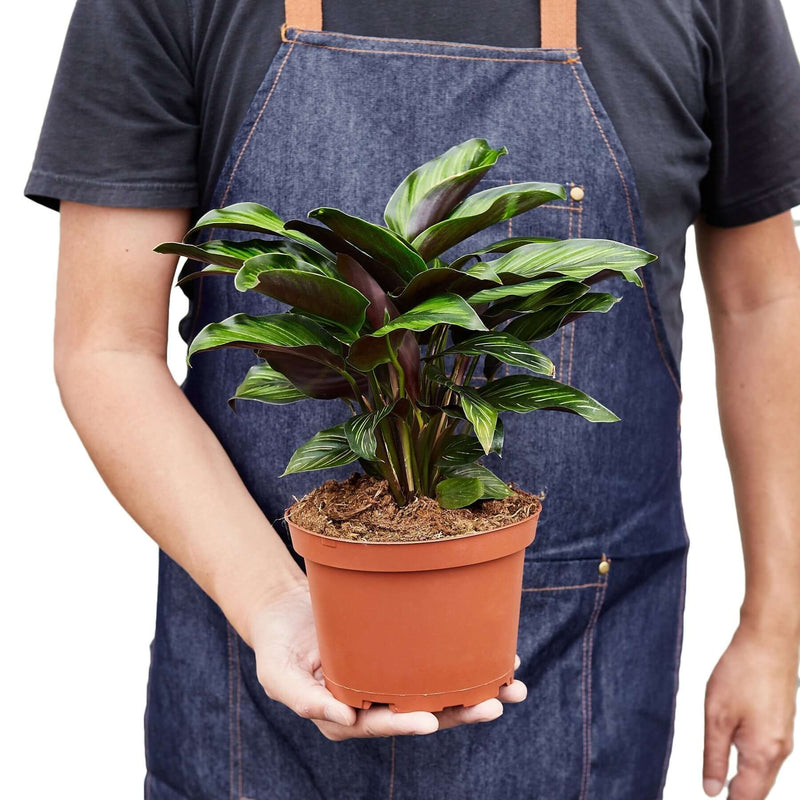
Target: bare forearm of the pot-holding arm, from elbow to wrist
point(166, 467)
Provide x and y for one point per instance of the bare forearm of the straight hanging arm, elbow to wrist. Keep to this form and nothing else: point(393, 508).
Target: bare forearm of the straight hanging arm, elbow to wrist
point(758, 384)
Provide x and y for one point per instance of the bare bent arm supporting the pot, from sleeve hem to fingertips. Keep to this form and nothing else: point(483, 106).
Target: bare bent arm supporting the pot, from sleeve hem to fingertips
point(165, 466)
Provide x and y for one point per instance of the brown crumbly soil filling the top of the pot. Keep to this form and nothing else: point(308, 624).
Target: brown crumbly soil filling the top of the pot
point(362, 508)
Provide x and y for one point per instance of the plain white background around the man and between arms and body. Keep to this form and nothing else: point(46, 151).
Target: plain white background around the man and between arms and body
point(78, 576)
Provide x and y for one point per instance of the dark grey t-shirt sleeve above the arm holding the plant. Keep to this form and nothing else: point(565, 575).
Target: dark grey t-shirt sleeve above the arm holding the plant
point(121, 125)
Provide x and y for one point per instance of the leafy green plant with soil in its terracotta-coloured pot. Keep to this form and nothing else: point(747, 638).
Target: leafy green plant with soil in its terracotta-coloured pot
point(420, 558)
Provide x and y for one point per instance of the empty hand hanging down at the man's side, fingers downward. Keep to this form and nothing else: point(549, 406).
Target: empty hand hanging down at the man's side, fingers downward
point(750, 702)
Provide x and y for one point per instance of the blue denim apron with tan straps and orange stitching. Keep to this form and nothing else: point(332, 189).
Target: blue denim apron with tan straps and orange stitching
point(339, 120)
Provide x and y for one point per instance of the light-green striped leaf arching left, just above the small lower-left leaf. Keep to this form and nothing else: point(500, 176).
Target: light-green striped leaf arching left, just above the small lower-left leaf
point(281, 330)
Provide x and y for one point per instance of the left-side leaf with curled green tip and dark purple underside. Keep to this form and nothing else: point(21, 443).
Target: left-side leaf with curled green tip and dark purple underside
point(290, 280)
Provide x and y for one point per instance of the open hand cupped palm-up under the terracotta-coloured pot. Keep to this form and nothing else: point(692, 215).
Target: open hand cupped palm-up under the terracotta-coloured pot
point(288, 662)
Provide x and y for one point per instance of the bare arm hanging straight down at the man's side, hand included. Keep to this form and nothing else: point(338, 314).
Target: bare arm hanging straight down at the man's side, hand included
point(751, 276)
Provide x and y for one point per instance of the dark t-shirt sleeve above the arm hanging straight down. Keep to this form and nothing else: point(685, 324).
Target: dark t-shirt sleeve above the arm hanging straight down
point(752, 85)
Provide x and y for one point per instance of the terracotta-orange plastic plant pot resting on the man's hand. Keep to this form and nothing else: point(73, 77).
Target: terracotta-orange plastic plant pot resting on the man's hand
point(417, 625)
